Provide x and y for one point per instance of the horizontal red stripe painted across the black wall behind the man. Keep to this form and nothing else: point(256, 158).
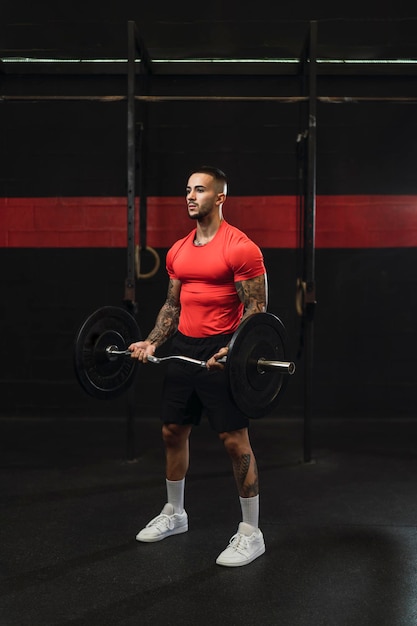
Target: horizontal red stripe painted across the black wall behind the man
point(272, 221)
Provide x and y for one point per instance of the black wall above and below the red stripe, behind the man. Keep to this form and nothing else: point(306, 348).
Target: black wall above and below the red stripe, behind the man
point(365, 329)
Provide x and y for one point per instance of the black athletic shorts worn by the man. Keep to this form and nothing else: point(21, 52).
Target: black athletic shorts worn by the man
point(190, 390)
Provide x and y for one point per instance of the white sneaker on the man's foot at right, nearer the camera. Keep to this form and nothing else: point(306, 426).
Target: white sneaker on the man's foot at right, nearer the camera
point(243, 548)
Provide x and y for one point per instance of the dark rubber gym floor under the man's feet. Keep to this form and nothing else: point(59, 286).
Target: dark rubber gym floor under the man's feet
point(340, 531)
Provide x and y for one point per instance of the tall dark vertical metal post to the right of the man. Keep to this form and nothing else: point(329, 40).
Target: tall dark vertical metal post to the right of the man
point(309, 240)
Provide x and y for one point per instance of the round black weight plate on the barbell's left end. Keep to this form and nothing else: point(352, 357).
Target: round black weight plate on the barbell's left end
point(102, 375)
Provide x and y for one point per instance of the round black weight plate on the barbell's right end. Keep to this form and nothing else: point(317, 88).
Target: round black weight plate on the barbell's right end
point(257, 392)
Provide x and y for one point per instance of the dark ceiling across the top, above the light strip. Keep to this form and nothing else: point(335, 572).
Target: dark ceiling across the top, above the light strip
point(261, 30)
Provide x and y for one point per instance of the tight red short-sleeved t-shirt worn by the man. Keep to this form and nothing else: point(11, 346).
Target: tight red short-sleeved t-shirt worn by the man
point(209, 301)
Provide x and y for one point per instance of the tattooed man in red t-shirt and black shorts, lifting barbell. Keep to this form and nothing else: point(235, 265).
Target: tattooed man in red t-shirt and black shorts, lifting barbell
point(217, 278)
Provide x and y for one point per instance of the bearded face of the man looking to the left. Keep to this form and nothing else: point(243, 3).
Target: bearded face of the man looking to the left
point(202, 195)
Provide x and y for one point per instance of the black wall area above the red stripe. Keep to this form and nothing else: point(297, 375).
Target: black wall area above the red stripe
point(61, 148)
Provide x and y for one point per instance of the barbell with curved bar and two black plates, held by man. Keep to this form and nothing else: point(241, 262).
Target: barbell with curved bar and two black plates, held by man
point(256, 365)
